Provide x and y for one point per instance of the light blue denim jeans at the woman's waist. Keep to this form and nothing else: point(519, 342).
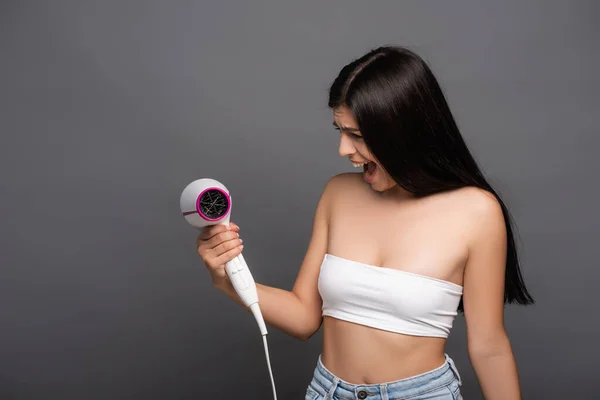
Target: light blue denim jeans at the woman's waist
point(442, 383)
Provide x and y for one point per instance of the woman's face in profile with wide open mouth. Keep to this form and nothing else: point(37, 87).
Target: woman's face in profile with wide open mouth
point(353, 146)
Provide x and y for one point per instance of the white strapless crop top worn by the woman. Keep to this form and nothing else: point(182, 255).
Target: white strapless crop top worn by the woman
point(386, 298)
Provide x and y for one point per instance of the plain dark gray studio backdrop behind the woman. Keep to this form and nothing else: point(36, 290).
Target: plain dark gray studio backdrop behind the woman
point(108, 109)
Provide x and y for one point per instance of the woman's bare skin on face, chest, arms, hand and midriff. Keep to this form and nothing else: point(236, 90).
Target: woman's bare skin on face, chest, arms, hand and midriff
point(458, 236)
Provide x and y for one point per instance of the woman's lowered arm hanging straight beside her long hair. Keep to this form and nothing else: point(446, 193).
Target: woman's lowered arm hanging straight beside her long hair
point(489, 348)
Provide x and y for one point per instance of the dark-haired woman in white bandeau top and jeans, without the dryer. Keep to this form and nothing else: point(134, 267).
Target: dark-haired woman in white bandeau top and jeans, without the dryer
point(397, 250)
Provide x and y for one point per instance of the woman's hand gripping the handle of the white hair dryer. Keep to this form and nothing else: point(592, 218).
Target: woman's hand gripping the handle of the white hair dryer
point(216, 246)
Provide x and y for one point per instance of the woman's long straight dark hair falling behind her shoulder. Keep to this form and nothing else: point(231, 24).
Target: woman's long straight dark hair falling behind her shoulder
point(406, 123)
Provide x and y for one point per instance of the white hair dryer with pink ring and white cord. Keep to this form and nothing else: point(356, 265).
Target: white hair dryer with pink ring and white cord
point(206, 202)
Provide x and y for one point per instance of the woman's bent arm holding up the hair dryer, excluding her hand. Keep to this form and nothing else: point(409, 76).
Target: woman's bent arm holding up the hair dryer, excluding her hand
point(297, 312)
